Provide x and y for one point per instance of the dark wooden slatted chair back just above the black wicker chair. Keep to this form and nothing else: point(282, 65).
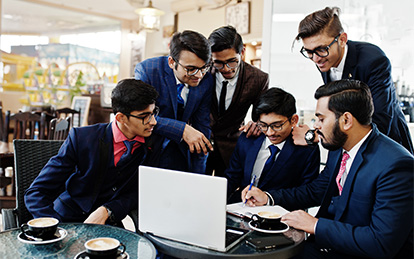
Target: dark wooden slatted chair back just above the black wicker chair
point(26, 125)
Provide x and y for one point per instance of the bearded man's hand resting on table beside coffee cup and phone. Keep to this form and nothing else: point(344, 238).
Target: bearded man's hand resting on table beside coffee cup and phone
point(299, 219)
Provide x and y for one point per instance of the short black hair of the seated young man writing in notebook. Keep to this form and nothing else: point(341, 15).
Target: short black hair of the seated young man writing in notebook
point(274, 100)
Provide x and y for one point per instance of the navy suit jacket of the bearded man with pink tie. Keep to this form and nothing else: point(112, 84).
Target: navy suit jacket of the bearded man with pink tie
point(374, 215)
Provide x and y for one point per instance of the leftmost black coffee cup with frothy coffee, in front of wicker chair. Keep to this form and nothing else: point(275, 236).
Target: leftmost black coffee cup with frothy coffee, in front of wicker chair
point(44, 228)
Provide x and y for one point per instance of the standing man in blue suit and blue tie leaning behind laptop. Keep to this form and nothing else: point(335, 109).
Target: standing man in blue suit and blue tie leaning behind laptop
point(181, 137)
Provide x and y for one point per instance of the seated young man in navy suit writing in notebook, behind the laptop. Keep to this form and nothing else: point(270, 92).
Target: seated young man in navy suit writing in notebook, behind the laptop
point(275, 114)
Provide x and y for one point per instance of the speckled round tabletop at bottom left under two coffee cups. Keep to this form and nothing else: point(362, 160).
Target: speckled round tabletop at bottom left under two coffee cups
point(137, 246)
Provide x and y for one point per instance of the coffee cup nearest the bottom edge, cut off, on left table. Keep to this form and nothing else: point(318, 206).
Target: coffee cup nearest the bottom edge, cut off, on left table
point(104, 247)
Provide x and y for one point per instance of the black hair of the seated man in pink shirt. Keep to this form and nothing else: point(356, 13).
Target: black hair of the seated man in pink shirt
point(132, 95)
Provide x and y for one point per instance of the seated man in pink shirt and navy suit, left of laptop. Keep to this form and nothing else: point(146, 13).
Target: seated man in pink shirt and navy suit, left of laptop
point(93, 178)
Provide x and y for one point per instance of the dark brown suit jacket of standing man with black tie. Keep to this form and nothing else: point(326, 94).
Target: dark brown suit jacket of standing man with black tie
point(225, 129)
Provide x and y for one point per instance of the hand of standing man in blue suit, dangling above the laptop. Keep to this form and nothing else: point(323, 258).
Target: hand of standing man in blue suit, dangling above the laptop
point(196, 140)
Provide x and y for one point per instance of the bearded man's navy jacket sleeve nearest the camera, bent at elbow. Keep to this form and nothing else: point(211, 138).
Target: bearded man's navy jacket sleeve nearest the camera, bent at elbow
point(391, 219)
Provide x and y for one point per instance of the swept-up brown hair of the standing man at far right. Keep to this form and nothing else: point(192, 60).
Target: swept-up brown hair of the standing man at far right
point(325, 20)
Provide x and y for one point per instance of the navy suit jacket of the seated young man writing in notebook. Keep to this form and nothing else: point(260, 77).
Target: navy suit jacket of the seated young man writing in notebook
point(295, 165)
